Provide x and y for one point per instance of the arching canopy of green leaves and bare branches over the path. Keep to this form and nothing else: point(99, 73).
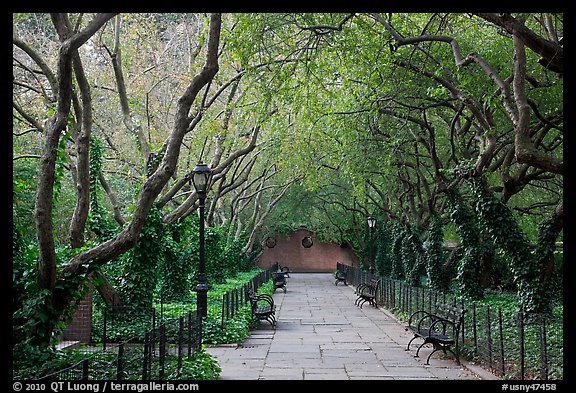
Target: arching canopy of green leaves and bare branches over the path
point(307, 119)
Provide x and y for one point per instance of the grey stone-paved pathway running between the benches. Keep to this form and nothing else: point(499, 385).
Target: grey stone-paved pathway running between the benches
point(322, 335)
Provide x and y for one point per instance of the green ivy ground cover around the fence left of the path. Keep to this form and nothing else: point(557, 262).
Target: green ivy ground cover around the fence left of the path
point(131, 329)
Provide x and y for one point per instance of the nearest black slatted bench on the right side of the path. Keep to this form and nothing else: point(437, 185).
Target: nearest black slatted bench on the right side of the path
point(439, 328)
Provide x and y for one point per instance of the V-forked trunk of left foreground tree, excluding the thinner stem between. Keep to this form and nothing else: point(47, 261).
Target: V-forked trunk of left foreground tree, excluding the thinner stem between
point(90, 260)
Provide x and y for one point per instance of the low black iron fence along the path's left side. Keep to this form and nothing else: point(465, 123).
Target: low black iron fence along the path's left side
point(156, 353)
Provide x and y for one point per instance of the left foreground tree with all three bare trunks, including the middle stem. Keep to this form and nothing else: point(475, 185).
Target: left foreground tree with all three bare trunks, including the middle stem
point(69, 64)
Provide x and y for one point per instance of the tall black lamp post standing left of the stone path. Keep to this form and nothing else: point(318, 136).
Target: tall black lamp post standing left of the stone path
point(202, 175)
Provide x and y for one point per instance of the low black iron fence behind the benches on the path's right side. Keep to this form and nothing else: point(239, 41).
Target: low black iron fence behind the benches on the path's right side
point(507, 342)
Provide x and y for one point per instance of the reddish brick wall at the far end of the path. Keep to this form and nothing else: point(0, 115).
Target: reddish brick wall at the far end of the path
point(320, 257)
